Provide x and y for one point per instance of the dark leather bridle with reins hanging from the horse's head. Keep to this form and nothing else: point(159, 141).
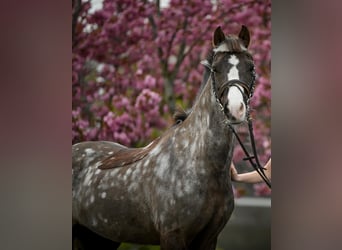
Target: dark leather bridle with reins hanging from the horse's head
point(247, 95)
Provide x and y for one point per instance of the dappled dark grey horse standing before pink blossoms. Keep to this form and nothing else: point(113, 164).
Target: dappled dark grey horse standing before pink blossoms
point(176, 192)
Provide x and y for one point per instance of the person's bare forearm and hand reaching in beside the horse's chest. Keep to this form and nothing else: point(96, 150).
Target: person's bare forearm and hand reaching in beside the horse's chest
point(250, 177)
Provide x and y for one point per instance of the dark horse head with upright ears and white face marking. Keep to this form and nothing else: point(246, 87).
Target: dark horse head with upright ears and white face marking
point(232, 72)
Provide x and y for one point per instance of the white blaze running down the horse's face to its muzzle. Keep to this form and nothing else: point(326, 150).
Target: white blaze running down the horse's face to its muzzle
point(236, 104)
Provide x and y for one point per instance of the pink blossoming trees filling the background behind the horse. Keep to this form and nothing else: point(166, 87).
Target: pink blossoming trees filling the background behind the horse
point(133, 62)
